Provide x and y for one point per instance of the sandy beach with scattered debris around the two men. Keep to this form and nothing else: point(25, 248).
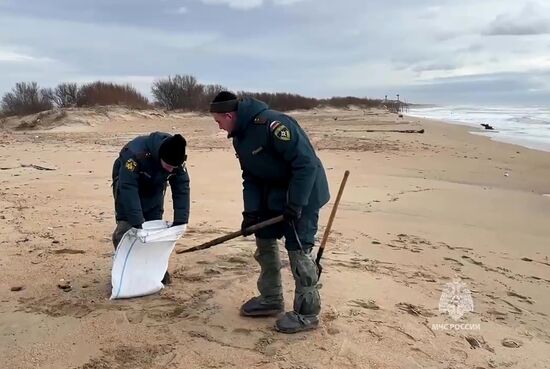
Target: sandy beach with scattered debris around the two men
point(419, 211)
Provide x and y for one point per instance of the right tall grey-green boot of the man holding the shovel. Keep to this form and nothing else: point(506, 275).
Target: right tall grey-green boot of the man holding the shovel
point(307, 301)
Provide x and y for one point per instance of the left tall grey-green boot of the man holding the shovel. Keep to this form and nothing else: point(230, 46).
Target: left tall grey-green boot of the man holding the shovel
point(270, 302)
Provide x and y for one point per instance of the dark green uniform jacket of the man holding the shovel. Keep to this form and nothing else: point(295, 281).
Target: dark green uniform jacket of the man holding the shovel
point(279, 164)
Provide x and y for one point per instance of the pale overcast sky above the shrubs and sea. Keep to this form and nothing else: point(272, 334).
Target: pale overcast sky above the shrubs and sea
point(440, 51)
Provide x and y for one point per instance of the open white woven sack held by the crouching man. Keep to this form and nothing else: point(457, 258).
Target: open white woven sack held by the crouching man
point(141, 259)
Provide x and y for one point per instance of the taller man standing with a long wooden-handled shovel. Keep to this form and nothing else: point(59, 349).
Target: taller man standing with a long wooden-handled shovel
point(281, 175)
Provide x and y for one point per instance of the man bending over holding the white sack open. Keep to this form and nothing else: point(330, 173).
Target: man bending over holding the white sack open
point(140, 175)
